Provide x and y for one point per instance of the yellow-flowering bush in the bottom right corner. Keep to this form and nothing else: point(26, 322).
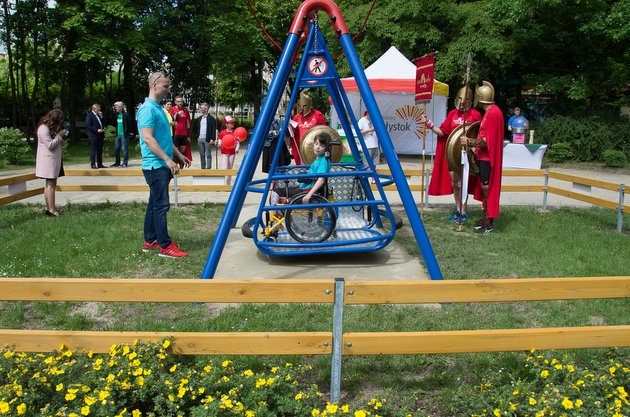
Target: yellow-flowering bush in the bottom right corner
point(553, 387)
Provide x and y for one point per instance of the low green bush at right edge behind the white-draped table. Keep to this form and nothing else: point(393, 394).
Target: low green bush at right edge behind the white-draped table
point(588, 136)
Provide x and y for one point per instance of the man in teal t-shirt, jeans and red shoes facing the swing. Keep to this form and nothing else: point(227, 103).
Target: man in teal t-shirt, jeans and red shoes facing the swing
point(158, 166)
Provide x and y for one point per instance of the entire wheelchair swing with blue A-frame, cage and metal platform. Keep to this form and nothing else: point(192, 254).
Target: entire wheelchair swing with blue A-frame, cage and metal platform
point(352, 218)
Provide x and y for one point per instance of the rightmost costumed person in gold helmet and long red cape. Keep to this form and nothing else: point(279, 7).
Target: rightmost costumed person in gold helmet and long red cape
point(489, 154)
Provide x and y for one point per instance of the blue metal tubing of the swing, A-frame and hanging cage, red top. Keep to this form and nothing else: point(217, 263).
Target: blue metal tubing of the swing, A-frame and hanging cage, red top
point(375, 239)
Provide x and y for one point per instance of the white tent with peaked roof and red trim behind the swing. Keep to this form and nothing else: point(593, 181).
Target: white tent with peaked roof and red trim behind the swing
point(393, 79)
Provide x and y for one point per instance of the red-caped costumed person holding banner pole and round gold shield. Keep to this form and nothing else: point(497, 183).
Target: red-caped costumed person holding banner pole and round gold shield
point(443, 180)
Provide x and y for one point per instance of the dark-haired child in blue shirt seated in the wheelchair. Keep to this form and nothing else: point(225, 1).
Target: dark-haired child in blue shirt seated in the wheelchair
point(317, 185)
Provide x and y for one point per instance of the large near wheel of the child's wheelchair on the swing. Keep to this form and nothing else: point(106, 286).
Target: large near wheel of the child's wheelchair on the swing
point(311, 225)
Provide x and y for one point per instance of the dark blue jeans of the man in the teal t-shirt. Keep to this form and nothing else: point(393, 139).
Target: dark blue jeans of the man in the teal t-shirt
point(155, 226)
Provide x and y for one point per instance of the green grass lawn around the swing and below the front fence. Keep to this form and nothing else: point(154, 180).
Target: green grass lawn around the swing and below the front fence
point(104, 241)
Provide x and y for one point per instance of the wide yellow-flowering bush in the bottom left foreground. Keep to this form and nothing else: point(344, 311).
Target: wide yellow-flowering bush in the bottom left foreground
point(146, 380)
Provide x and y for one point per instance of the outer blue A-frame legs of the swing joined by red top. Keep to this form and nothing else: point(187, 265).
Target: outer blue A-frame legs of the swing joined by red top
point(267, 113)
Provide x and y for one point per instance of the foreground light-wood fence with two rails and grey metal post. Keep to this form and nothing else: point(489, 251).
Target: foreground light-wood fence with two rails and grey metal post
point(338, 293)
